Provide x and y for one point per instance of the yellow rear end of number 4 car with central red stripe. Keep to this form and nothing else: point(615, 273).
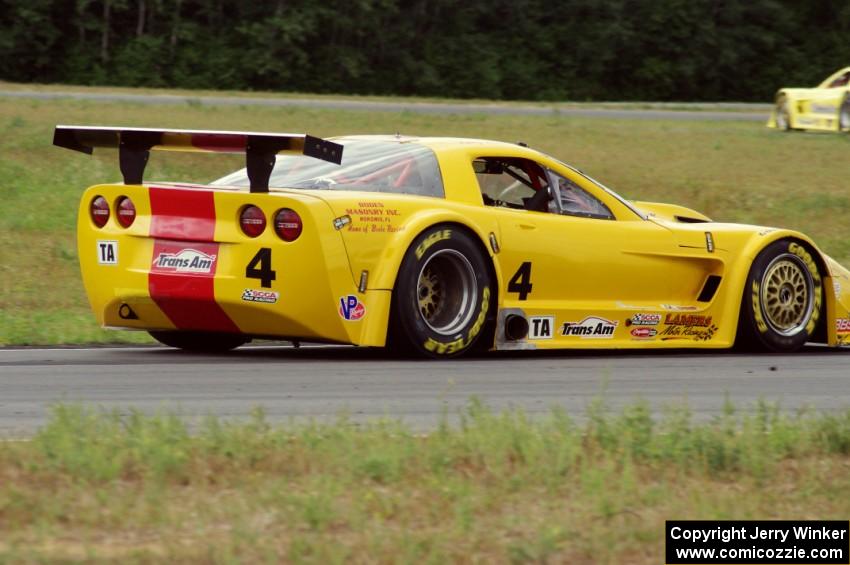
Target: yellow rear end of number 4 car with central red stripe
point(187, 266)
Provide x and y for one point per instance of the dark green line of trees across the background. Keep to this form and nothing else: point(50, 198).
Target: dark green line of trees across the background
point(666, 50)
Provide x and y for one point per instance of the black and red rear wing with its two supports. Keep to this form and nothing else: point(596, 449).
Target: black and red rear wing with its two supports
point(134, 146)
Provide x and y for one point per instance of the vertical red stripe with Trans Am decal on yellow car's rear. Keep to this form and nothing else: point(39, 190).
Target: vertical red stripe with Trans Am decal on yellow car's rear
point(182, 272)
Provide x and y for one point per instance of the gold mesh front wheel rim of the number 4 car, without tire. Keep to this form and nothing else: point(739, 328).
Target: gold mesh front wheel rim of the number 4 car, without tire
point(786, 295)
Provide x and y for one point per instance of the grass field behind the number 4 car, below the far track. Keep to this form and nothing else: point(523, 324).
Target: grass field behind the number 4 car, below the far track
point(732, 171)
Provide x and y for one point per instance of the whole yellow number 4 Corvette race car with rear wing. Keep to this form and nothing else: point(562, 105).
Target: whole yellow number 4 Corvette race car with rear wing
point(433, 246)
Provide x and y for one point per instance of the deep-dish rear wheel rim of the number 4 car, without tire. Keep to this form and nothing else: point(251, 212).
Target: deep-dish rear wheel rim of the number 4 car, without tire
point(446, 291)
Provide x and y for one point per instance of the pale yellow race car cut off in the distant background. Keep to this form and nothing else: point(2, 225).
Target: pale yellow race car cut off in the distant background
point(824, 107)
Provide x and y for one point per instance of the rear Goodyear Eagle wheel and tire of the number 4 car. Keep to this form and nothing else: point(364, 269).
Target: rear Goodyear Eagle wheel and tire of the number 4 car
point(443, 297)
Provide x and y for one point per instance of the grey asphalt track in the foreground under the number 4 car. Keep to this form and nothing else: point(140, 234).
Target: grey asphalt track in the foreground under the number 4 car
point(323, 382)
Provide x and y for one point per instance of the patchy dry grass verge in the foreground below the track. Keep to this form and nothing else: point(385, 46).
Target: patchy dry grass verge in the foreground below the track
point(498, 487)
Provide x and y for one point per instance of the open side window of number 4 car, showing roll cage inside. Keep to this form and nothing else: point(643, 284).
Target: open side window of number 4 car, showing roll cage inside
point(512, 182)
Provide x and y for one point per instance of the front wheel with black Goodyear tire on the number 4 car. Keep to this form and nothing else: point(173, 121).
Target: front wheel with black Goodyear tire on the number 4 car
point(783, 298)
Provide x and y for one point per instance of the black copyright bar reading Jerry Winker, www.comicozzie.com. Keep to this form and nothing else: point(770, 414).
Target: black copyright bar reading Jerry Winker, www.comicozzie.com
point(695, 542)
